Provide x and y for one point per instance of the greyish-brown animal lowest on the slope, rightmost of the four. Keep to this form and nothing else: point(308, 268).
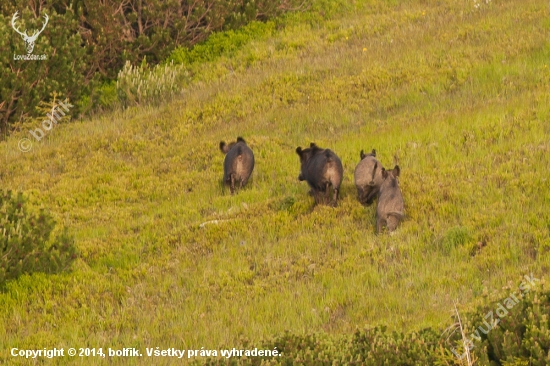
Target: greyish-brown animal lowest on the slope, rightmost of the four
point(390, 209)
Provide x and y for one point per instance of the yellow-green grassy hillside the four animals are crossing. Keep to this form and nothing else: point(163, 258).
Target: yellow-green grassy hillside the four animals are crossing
point(457, 94)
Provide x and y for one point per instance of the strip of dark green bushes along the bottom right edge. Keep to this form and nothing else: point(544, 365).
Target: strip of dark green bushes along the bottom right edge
point(522, 337)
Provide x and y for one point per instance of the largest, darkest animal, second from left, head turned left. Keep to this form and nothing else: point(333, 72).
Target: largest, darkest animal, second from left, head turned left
point(321, 168)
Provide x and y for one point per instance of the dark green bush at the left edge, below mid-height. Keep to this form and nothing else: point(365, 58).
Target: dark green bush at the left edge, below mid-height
point(25, 245)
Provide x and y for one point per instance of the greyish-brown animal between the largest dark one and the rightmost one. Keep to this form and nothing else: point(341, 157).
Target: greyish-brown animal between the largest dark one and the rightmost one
point(368, 177)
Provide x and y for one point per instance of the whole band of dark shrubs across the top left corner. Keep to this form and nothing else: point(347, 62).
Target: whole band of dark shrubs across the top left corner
point(88, 42)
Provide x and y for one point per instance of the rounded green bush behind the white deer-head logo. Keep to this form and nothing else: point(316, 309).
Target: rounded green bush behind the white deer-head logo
point(24, 84)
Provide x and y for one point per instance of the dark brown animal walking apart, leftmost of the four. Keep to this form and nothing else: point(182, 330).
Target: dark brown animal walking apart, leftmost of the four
point(238, 164)
